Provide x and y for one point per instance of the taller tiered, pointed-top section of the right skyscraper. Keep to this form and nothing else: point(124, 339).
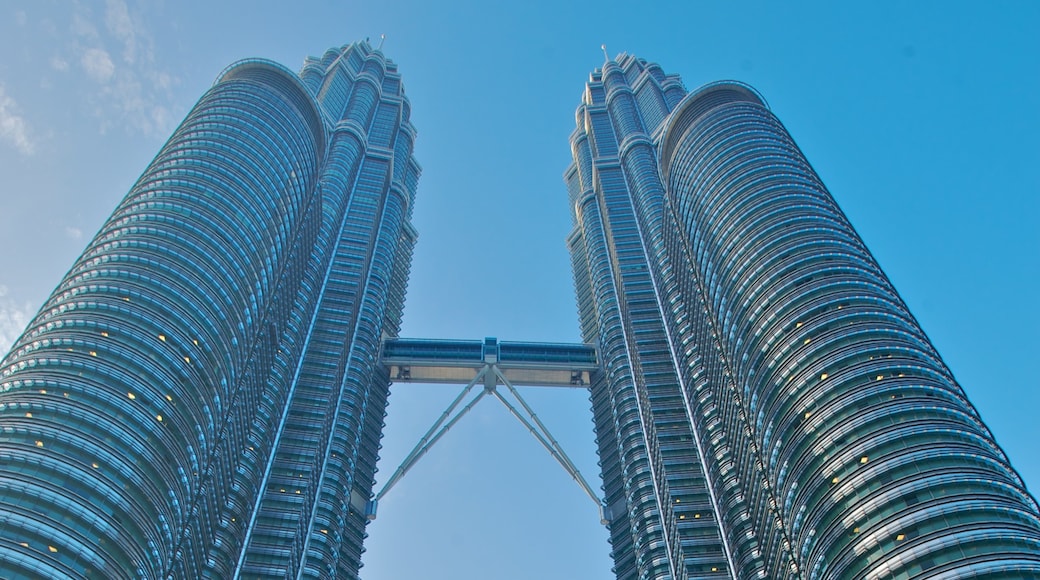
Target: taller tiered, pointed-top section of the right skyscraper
point(618, 238)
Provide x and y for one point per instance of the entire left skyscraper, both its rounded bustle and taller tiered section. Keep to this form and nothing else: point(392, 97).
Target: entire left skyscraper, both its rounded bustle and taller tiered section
point(201, 396)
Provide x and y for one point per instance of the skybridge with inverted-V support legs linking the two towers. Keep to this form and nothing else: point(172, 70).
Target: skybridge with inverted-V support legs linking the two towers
point(488, 365)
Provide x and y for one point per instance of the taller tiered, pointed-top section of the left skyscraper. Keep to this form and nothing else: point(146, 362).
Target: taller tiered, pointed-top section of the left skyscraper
point(310, 518)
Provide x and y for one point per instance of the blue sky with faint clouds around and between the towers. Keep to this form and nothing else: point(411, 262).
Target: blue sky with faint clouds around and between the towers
point(920, 117)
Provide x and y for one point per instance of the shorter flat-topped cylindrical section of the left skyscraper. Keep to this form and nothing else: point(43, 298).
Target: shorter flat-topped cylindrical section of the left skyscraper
point(123, 402)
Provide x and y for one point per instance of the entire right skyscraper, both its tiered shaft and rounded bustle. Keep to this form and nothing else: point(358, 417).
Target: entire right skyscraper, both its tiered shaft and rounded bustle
point(768, 406)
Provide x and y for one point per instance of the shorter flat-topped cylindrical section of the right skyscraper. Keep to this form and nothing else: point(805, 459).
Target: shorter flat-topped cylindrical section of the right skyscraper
point(857, 454)
